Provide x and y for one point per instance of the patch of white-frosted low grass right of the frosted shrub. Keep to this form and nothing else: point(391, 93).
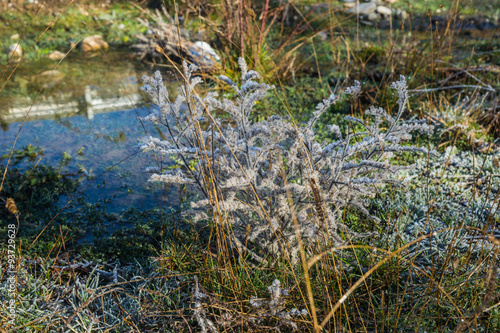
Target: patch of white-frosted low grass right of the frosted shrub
point(454, 191)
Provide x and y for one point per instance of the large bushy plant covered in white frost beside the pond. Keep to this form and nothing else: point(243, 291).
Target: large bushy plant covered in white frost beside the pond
point(265, 175)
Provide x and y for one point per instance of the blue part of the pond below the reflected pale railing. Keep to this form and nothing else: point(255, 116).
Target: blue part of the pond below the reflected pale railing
point(107, 142)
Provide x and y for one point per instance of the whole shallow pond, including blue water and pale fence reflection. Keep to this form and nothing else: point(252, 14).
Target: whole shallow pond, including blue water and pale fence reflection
point(92, 114)
